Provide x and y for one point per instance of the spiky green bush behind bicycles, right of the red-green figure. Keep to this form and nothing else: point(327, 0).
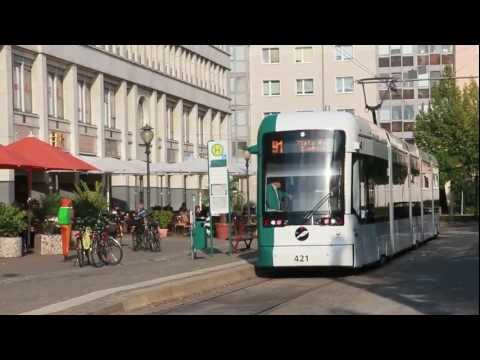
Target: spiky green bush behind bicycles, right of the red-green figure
point(89, 203)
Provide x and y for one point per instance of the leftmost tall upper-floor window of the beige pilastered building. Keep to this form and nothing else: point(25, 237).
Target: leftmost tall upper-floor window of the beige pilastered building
point(22, 87)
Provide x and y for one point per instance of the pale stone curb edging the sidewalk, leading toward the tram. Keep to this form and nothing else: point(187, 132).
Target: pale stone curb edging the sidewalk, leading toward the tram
point(176, 289)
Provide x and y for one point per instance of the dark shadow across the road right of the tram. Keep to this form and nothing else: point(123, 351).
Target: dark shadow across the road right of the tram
point(440, 277)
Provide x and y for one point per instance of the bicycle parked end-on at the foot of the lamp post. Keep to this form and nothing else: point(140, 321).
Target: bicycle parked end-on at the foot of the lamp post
point(145, 234)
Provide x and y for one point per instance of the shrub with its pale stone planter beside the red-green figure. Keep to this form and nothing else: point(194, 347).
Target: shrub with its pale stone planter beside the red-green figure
point(47, 235)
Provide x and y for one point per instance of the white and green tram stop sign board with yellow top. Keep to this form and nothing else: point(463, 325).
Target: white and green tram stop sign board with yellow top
point(218, 177)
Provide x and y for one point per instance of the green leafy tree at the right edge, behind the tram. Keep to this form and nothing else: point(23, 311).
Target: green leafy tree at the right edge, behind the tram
point(449, 131)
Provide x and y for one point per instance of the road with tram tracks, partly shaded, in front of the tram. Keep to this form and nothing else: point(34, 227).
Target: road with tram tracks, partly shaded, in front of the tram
point(440, 277)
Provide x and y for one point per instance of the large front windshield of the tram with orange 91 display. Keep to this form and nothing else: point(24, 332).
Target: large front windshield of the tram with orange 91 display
point(301, 167)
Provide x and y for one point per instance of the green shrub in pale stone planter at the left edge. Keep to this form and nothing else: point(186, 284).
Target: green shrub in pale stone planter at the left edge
point(13, 222)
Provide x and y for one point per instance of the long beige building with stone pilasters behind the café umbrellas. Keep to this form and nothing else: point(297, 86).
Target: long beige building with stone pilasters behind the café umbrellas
point(92, 100)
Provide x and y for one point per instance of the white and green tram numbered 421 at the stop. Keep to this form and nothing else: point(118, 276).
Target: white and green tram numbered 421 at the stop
point(334, 189)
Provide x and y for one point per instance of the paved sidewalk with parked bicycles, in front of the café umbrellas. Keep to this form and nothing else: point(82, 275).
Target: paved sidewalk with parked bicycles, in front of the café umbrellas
point(34, 281)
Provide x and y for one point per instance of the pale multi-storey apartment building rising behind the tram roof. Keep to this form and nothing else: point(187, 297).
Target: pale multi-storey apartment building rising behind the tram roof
point(291, 78)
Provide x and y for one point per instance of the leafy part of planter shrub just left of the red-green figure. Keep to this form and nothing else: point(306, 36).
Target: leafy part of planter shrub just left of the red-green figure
point(45, 213)
